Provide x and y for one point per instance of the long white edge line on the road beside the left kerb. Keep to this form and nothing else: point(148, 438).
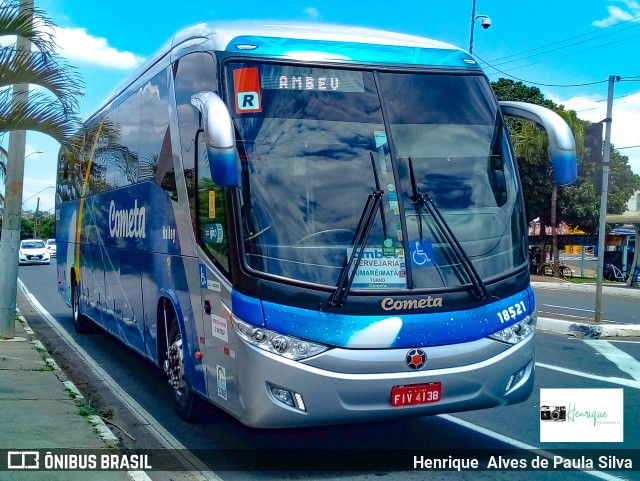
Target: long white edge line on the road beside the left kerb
point(202, 473)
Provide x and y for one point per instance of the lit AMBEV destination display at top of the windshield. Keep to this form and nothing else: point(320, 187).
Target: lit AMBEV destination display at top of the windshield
point(281, 77)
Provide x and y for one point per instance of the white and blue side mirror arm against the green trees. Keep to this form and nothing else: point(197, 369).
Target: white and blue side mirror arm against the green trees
point(562, 145)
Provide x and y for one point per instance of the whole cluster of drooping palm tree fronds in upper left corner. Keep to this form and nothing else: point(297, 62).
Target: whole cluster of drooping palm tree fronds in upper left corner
point(52, 110)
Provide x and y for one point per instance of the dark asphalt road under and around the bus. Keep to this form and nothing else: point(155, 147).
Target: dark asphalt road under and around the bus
point(561, 363)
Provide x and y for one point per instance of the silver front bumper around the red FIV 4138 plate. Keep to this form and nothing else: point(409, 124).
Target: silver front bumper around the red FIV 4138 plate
point(333, 397)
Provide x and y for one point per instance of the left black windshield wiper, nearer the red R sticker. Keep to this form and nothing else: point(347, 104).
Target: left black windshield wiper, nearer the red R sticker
point(348, 272)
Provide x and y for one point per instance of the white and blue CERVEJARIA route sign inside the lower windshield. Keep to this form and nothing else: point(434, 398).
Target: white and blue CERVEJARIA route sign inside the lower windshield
point(376, 271)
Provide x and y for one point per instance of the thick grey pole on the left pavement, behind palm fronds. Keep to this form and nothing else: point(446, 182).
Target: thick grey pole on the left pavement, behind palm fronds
point(13, 206)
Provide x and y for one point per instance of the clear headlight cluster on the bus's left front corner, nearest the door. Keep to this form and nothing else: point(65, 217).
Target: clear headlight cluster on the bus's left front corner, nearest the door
point(271, 341)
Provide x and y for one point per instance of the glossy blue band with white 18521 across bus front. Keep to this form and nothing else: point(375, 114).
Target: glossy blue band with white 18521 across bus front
point(394, 330)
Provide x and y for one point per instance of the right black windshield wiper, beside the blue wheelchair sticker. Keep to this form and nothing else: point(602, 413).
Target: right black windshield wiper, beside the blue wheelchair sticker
point(421, 200)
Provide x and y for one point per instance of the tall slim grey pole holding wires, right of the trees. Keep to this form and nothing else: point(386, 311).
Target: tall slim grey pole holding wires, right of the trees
point(603, 198)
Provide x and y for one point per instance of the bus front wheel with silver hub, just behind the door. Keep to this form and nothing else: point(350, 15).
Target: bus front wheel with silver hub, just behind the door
point(183, 398)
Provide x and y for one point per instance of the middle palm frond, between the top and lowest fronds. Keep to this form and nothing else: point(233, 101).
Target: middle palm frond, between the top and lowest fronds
point(45, 70)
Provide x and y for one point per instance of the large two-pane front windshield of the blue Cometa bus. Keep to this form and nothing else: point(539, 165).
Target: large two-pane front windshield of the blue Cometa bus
point(315, 143)
